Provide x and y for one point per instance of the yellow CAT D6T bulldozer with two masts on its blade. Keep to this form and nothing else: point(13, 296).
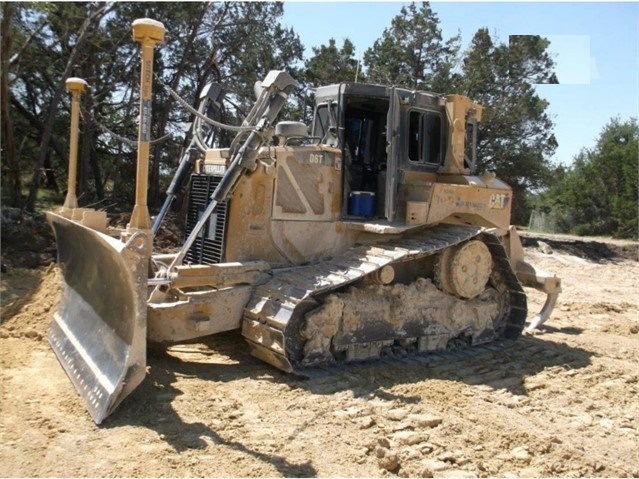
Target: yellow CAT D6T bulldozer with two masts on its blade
point(368, 234)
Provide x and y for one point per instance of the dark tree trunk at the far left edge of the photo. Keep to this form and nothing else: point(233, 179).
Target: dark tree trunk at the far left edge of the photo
point(11, 161)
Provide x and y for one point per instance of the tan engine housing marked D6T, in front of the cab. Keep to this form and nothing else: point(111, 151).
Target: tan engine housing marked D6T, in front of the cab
point(287, 213)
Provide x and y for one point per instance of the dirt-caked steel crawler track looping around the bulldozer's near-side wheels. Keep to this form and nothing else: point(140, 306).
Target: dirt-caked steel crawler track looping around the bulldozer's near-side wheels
point(275, 322)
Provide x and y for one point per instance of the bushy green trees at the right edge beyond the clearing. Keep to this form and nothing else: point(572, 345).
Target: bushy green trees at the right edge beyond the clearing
point(598, 194)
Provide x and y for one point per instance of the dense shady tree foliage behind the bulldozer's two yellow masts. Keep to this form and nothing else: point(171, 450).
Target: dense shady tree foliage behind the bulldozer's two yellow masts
point(223, 42)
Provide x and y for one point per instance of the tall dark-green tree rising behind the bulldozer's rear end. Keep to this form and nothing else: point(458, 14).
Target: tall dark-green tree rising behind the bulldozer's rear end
point(515, 137)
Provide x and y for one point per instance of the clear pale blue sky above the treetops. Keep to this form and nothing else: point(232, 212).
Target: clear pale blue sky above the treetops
point(595, 46)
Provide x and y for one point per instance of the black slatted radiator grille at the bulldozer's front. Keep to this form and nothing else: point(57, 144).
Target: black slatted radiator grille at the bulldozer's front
point(208, 247)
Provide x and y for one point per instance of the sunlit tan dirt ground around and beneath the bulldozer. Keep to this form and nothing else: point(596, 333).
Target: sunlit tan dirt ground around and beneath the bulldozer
point(560, 403)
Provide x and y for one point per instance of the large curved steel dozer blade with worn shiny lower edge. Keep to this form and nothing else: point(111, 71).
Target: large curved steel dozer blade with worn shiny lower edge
point(99, 330)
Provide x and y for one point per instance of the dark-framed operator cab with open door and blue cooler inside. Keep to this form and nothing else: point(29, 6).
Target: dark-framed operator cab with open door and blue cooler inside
point(359, 119)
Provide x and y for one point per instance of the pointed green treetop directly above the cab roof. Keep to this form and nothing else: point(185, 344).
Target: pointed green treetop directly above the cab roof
point(412, 53)
